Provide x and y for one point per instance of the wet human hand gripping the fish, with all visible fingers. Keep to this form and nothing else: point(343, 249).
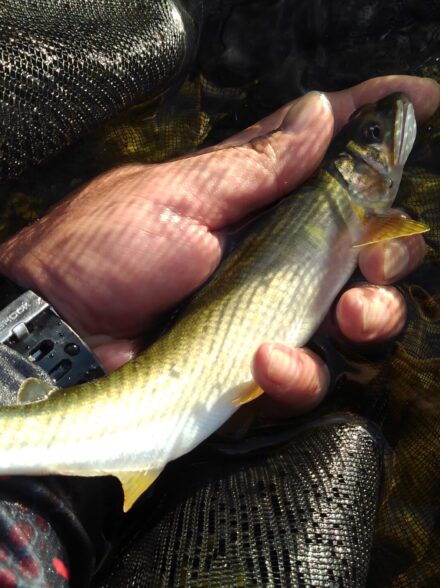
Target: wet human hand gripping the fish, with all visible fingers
point(132, 243)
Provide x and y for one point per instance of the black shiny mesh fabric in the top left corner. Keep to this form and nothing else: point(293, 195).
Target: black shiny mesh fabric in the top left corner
point(67, 66)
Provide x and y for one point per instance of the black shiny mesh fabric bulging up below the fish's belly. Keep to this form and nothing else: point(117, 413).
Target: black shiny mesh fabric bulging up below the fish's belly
point(302, 516)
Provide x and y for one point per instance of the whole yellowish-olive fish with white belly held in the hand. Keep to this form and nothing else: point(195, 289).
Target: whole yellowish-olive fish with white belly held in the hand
point(276, 284)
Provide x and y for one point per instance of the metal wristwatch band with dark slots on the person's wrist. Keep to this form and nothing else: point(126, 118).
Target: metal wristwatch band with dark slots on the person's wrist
point(32, 327)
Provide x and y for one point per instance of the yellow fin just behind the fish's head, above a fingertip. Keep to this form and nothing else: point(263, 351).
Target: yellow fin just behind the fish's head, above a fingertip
point(389, 226)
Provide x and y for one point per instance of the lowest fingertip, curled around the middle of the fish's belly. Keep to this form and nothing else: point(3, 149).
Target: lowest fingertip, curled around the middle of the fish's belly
point(296, 379)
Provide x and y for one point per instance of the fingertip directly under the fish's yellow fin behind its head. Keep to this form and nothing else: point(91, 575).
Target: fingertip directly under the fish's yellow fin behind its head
point(386, 262)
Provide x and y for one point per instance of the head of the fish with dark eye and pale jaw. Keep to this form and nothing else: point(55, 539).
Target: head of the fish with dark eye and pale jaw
point(369, 154)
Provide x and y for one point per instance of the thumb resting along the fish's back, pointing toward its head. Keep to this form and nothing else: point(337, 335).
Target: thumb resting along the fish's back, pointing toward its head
point(229, 182)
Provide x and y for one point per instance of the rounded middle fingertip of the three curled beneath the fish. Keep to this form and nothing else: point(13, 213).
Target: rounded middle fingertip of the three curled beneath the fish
point(370, 313)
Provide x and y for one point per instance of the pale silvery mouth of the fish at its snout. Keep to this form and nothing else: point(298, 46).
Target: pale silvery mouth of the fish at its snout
point(405, 128)
